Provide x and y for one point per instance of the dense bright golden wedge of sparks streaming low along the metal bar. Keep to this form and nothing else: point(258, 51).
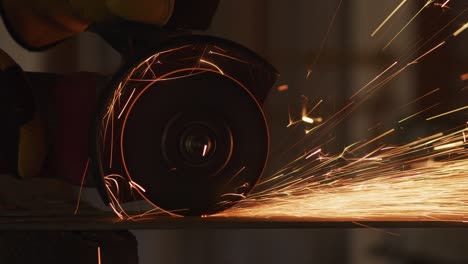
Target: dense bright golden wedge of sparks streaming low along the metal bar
point(419, 181)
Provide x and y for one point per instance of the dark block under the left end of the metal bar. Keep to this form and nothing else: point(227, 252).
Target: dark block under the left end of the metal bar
point(68, 247)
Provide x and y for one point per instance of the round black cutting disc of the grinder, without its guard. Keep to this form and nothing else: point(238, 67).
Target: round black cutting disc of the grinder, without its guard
point(195, 143)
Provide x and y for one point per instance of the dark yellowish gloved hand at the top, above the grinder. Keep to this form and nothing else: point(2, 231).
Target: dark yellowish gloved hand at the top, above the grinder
point(37, 24)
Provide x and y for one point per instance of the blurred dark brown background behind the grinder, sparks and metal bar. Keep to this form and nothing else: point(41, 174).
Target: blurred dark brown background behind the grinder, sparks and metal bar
point(316, 60)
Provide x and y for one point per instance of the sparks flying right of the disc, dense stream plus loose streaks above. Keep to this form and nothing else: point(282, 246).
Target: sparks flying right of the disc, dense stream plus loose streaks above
point(424, 180)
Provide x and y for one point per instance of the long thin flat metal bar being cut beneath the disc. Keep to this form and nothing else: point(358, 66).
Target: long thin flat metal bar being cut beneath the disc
point(112, 223)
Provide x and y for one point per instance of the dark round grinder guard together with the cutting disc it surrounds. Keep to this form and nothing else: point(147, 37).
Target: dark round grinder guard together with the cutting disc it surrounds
point(182, 129)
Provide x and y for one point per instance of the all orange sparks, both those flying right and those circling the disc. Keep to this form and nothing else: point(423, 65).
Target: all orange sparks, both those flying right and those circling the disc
point(426, 179)
